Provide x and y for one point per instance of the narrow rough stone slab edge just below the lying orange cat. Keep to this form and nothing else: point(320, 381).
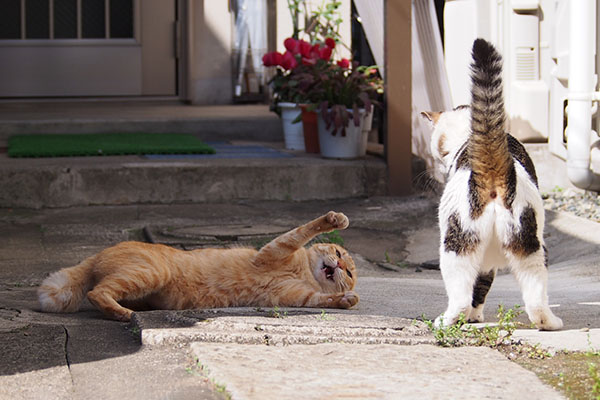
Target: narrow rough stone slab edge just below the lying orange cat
point(277, 326)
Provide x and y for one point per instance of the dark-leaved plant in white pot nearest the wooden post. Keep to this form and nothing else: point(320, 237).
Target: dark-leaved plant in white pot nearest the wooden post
point(344, 95)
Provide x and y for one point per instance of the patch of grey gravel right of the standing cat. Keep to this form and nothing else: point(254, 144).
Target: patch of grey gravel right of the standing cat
point(581, 203)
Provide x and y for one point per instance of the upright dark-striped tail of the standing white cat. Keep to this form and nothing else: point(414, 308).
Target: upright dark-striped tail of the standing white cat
point(491, 163)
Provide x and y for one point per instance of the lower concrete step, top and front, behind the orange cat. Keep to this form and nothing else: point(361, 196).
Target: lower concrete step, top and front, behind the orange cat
point(249, 171)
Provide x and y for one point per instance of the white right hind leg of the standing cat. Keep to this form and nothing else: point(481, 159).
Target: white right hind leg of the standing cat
point(532, 275)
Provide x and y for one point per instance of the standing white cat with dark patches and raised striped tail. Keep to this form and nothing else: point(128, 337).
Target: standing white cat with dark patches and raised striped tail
point(491, 213)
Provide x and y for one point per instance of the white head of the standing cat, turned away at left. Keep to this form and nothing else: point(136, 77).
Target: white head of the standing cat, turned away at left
point(450, 130)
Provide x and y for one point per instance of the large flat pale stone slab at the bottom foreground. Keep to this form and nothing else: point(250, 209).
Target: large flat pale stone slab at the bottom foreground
point(333, 371)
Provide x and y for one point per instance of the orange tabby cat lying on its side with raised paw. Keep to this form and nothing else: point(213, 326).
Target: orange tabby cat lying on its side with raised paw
point(153, 276)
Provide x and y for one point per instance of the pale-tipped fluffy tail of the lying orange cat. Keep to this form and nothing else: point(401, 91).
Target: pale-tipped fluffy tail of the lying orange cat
point(64, 290)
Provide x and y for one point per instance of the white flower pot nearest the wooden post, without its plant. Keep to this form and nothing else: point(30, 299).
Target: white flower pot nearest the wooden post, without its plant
point(353, 145)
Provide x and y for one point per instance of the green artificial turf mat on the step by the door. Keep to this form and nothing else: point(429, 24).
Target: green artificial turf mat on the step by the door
point(97, 144)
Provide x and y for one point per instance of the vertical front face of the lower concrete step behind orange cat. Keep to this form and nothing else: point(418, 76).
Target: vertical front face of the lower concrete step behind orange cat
point(179, 183)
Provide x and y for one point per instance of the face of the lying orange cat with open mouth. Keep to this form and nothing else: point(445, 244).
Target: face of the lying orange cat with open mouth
point(333, 268)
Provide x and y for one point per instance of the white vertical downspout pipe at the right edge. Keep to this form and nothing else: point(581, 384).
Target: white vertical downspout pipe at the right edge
point(582, 51)
